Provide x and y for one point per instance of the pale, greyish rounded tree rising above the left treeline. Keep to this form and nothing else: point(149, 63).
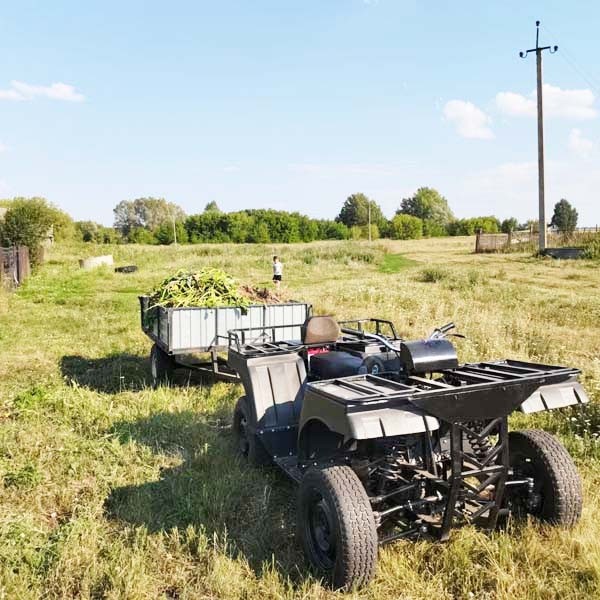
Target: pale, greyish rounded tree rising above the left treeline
point(148, 213)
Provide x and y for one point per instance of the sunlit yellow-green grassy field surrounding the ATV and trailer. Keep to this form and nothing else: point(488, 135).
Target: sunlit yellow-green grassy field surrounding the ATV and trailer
point(110, 489)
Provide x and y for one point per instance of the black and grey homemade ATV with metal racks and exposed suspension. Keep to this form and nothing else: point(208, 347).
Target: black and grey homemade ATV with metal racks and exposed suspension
point(393, 439)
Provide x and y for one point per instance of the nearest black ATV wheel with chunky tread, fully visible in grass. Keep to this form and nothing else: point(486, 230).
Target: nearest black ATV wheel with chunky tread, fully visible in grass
point(337, 527)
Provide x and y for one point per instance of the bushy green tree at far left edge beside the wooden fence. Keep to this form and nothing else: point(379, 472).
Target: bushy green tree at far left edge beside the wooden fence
point(29, 222)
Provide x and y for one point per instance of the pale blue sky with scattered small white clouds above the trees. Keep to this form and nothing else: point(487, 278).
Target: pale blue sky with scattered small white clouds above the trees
point(295, 105)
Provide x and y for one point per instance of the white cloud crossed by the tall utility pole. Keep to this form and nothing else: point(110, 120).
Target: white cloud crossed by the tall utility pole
point(573, 104)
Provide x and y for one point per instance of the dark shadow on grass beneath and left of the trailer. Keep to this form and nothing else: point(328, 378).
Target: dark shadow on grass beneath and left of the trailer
point(119, 372)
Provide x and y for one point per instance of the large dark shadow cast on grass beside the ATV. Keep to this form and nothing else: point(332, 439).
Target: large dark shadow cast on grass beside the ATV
point(211, 490)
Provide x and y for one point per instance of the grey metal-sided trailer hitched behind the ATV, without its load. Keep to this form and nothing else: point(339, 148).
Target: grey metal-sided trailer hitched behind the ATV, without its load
point(193, 337)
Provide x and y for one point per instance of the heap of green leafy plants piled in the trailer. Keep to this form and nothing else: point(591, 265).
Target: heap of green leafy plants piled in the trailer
point(207, 288)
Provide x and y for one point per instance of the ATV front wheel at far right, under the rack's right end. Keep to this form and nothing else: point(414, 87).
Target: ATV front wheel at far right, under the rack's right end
point(557, 492)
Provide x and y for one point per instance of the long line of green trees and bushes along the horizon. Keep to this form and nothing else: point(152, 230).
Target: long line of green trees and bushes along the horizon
point(27, 221)
